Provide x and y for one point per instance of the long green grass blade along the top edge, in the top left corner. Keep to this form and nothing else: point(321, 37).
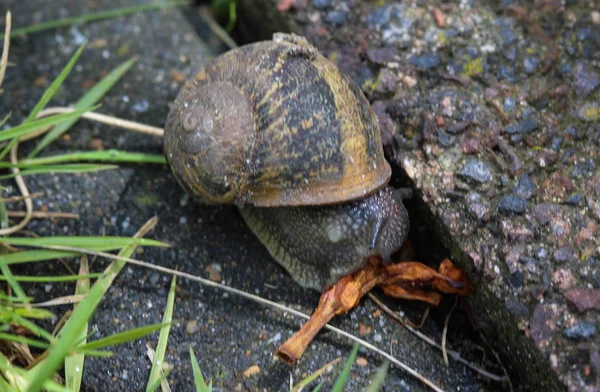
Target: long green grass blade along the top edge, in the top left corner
point(93, 17)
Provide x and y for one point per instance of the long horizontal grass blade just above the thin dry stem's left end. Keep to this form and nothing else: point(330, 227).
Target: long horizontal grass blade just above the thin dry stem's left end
point(83, 241)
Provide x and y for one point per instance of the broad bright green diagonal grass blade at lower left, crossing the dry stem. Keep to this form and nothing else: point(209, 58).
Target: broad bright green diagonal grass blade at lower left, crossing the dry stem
point(80, 316)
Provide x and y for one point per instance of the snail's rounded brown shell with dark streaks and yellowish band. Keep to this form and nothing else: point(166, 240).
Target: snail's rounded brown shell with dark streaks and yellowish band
point(274, 124)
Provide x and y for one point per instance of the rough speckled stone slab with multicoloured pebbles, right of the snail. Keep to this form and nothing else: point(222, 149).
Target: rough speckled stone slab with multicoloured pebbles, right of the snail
point(491, 110)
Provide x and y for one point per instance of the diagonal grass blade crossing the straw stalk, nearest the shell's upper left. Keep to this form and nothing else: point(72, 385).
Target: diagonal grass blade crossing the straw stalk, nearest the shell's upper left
point(94, 95)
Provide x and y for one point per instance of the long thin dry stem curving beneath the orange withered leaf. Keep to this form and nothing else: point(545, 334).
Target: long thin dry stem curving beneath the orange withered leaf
point(252, 297)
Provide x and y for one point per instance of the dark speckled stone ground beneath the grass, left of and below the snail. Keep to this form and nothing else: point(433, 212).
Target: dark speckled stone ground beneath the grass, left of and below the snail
point(228, 334)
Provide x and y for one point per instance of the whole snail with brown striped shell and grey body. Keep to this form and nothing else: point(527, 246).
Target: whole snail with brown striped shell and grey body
point(276, 129)
